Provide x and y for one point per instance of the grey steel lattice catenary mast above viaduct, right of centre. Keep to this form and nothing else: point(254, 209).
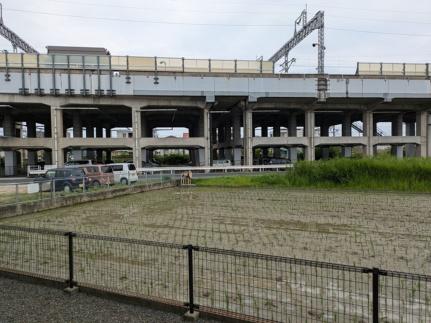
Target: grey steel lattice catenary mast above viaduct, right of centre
point(317, 22)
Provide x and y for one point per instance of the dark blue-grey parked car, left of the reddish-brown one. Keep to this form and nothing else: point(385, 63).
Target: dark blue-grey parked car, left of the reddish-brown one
point(63, 179)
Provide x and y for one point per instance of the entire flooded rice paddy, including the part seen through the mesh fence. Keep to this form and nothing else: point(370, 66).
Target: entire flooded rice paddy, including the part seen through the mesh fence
point(390, 231)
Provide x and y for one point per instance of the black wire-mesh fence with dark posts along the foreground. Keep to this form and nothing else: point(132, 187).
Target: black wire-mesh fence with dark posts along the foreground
point(242, 285)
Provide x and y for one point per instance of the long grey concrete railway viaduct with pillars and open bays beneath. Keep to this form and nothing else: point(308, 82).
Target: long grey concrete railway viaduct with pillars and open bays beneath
point(229, 114)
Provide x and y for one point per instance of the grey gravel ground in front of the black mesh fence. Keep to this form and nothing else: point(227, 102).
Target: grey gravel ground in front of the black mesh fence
point(25, 302)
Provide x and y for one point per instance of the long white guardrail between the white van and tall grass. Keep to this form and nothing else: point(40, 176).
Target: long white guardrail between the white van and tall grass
point(206, 169)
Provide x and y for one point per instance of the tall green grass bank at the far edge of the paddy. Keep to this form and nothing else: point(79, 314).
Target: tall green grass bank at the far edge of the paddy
point(412, 175)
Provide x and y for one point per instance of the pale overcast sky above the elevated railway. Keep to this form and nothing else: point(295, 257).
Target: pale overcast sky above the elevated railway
point(375, 31)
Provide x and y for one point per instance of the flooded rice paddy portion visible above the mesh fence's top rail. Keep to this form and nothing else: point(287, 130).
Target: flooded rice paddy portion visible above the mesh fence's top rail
point(388, 230)
